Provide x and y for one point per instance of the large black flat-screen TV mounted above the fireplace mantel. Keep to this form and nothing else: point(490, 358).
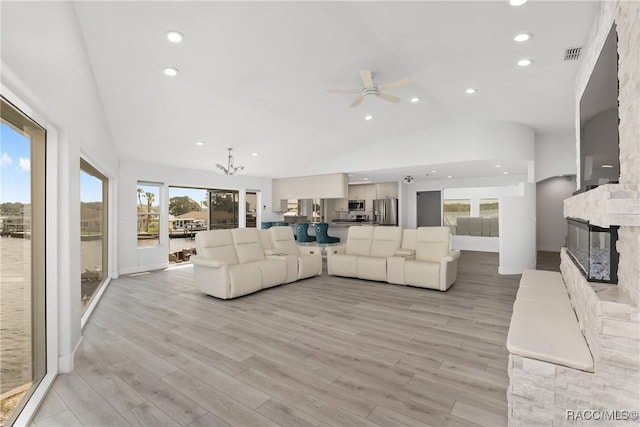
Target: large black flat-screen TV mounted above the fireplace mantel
point(599, 145)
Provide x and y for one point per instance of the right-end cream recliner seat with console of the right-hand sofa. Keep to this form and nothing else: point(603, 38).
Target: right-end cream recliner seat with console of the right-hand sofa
point(424, 259)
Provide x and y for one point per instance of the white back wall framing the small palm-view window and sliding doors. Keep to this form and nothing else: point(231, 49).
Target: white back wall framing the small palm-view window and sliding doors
point(130, 258)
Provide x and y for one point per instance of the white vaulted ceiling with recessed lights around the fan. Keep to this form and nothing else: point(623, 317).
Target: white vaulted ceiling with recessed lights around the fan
point(254, 76)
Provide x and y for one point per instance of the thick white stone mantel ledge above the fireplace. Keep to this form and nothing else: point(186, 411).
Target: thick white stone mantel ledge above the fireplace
point(607, 205)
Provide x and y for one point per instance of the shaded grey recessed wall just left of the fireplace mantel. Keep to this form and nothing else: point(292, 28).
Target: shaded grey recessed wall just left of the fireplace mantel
point(551, 226)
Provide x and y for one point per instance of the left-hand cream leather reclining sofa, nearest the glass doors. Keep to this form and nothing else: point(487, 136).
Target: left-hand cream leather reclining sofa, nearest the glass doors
point(232, 263)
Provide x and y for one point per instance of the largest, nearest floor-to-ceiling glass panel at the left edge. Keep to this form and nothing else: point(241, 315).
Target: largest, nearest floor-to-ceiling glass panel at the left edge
point(22, 259)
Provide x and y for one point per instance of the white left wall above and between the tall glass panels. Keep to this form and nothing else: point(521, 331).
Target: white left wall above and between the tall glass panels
point(44, 64)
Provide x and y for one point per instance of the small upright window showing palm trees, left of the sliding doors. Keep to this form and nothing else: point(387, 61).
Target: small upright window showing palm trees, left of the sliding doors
point(148, 215)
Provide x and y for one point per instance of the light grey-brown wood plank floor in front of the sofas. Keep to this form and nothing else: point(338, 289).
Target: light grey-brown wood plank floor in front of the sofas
point(322, 351)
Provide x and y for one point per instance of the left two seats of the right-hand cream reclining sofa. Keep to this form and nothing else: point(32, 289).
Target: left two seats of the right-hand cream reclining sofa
point(364, 254)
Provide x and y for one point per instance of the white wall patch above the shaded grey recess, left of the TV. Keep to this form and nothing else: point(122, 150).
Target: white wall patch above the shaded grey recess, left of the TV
point(555, 155)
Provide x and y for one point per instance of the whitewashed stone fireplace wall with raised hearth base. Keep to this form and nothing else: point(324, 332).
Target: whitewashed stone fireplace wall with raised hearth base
point(541, 393)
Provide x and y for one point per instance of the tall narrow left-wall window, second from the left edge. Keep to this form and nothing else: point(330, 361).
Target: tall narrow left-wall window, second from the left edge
point(93, 231)
